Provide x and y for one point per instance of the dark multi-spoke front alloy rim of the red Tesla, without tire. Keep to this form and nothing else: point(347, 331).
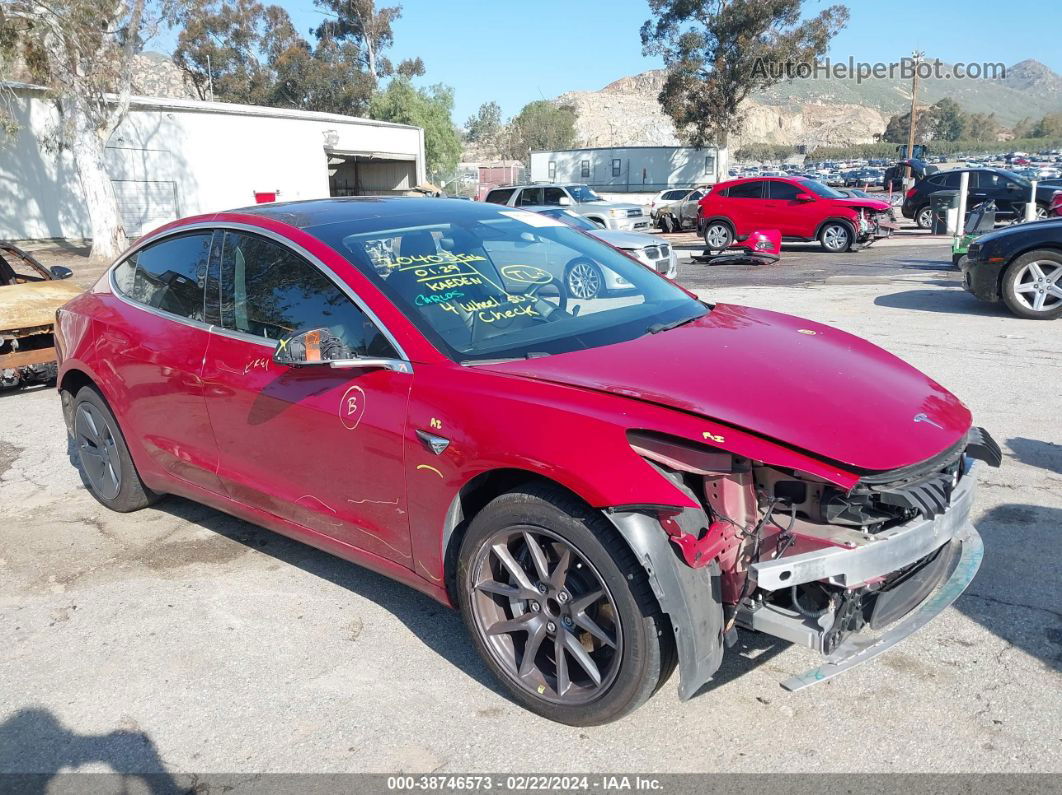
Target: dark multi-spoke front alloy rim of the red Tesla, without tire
point(545, 615)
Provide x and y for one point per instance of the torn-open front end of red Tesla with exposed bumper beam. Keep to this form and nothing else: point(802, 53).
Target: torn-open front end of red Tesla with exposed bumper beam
point(795, 557)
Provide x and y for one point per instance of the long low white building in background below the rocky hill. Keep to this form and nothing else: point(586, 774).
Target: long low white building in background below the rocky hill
point(631, 169)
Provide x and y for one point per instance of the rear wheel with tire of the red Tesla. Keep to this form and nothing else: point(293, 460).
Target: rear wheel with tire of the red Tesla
point(105, 462)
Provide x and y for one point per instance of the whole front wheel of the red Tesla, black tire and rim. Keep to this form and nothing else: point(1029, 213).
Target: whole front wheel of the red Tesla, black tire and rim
point(560, 610)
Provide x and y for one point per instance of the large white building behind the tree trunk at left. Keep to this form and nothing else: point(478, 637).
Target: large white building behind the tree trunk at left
point(174, 158)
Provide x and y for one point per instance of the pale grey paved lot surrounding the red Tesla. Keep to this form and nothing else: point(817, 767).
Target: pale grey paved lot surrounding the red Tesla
point(179, 640)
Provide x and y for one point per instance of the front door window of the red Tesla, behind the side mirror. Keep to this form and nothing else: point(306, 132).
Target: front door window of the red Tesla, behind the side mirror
point(269, 291)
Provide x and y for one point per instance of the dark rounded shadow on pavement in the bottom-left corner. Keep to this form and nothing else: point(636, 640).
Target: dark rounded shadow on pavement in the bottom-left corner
point(36, 747)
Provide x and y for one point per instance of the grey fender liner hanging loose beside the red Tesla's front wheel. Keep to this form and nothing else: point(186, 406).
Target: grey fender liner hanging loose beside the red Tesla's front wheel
point(690, 597)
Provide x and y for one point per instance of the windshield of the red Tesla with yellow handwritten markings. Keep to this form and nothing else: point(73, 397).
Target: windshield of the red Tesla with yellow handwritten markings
point(486, 284)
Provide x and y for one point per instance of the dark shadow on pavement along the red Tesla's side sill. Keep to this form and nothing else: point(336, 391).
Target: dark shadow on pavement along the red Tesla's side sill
point(436, 626)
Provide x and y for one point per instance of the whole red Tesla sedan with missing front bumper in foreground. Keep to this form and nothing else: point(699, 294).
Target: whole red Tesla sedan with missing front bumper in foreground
point(605, 488)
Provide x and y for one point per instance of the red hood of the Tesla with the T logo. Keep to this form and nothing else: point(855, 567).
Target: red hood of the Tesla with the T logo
point(808, 386)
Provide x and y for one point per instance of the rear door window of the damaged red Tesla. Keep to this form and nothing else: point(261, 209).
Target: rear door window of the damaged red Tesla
point(168, 275)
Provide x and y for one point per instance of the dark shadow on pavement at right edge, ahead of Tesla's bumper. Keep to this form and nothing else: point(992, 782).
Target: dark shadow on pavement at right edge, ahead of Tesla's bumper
point(1018, 594)
